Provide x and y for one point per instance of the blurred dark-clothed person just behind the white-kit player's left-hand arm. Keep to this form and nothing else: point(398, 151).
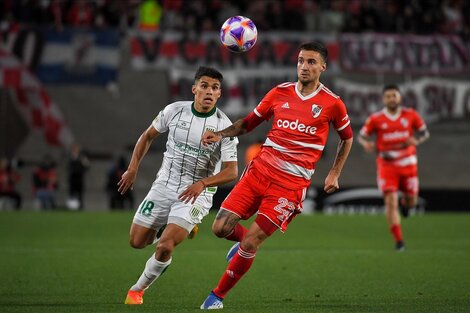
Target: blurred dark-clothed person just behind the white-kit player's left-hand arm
point(117, 200)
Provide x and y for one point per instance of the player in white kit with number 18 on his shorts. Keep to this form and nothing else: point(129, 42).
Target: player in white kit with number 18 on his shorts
point(181, 195)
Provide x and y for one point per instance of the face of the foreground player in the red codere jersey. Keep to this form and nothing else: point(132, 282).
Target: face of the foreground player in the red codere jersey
point(310, 65)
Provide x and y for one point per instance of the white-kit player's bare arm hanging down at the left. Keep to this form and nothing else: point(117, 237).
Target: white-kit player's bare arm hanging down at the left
point(140, 150)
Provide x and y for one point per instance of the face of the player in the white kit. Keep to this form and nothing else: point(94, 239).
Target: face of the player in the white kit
point(206, 92)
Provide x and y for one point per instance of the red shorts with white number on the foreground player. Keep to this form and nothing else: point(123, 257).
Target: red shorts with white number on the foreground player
point(257, 193)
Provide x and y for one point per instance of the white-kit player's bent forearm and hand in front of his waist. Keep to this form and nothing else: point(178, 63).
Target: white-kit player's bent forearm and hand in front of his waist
point(227, 174)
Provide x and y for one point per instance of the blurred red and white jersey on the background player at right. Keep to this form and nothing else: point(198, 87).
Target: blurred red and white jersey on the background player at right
point(391, 132)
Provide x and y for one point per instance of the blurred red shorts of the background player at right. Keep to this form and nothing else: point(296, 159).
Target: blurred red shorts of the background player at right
point(391, 178)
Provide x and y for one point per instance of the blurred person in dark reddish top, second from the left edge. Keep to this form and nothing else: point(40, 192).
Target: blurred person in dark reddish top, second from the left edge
point(45, 183)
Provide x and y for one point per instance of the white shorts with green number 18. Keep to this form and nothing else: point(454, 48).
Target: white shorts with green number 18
point(162, 206)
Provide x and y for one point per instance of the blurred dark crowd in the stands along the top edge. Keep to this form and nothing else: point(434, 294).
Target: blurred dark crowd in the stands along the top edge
point(413, 16)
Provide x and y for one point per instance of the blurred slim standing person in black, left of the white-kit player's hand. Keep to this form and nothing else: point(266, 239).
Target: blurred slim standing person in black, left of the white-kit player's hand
point(77, 167)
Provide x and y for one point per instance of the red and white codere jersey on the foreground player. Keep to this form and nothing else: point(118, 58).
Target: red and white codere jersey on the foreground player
point(299, 132)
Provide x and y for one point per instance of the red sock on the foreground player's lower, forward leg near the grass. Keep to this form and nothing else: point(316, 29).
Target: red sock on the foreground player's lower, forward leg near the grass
point(239, 265)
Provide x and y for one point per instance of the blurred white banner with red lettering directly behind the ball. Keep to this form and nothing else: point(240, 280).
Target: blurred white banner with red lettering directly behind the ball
point(164, 50)
